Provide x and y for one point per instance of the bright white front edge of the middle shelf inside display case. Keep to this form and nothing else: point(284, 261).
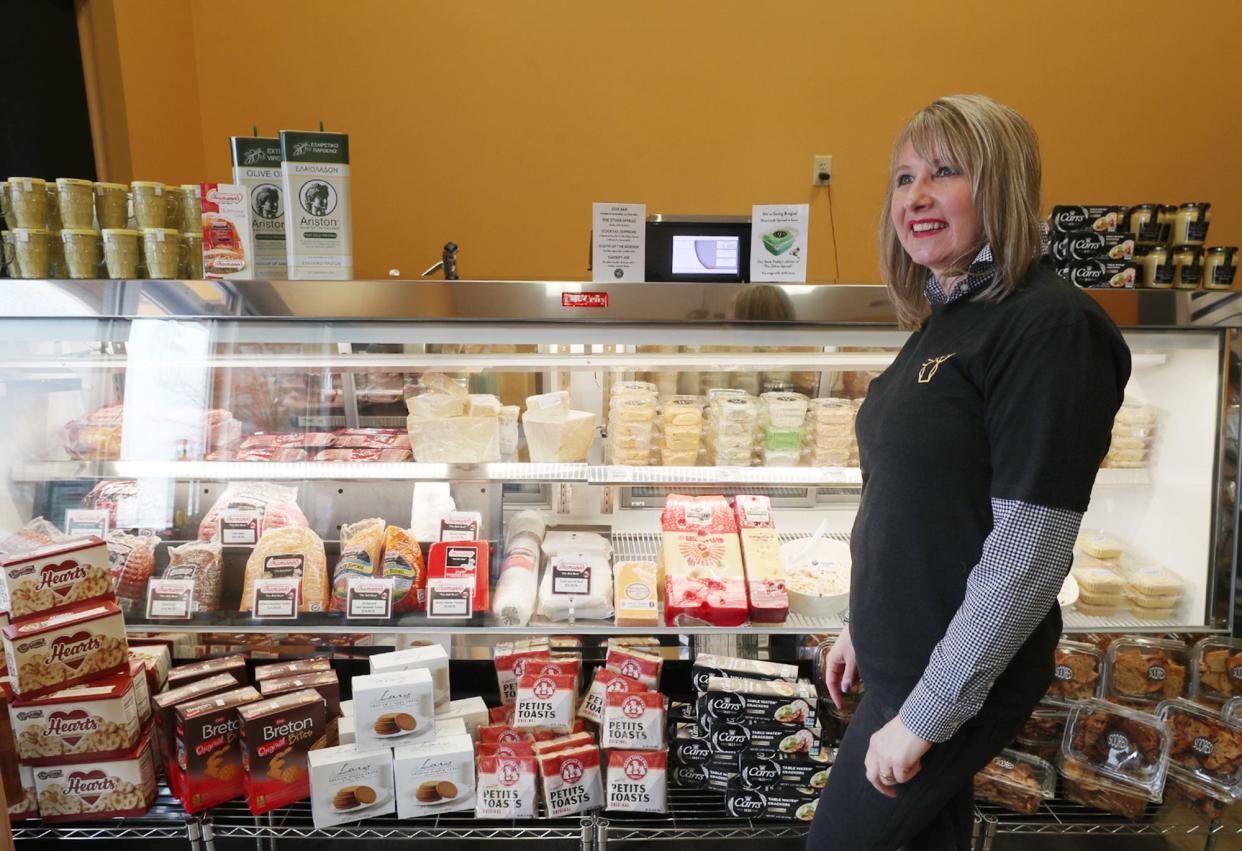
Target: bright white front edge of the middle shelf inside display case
point(579, 474)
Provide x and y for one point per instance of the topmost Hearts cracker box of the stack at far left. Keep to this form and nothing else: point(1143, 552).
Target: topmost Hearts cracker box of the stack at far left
point(55, 577)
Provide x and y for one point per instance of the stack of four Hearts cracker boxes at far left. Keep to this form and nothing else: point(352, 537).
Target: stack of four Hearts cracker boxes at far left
point(85, 745)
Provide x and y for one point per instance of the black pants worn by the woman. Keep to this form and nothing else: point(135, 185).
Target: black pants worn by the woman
point(931, 813)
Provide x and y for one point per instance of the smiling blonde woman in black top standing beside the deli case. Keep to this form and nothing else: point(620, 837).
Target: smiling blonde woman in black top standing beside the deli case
point(979, 448)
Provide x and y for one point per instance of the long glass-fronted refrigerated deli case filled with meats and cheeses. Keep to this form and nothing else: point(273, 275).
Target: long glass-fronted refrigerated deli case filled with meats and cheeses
point(238, 443)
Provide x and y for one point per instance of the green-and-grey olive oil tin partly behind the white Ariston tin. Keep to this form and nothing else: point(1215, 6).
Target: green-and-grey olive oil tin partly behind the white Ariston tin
point(258, 168)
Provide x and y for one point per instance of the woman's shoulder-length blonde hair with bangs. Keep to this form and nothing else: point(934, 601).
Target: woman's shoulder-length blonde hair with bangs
point(999, 151)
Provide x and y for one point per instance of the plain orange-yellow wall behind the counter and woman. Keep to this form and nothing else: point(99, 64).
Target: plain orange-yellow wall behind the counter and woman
point(496, 124)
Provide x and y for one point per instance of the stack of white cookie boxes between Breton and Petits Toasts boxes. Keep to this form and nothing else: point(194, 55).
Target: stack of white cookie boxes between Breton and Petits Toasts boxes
point(406, 747)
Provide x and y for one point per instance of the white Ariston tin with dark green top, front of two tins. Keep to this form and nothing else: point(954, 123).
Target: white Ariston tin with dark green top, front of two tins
point(319, 229)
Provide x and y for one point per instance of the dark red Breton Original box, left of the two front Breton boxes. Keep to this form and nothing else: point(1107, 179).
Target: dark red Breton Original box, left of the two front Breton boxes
point(208, 751)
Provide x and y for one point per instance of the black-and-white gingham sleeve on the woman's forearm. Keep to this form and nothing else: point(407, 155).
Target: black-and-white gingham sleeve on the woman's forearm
point(1015, 585)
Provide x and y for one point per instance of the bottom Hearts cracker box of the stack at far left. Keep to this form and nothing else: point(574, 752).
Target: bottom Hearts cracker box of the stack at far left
point(99, 790)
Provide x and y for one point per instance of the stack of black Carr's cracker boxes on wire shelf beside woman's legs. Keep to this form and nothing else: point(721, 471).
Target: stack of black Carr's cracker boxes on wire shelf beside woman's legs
point(752, 735)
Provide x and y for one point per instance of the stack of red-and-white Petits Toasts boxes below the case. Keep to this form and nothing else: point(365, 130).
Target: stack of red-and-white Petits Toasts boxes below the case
point(546, 745)
